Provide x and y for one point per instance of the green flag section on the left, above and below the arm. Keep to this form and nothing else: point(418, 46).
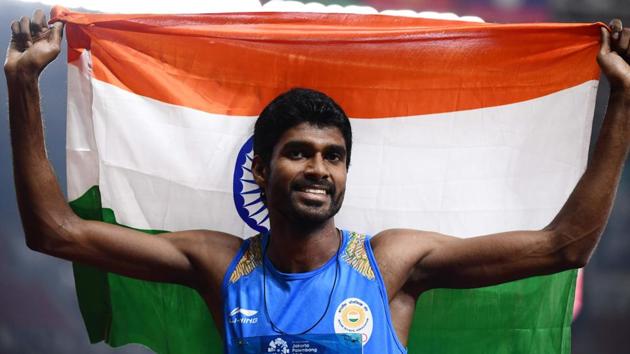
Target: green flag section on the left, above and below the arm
point(167, 318)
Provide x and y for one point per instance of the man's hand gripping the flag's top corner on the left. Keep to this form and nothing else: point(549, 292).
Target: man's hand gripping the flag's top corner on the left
point(33, 45)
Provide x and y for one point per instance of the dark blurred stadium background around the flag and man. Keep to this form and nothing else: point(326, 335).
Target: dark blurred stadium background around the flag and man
point(38, 306)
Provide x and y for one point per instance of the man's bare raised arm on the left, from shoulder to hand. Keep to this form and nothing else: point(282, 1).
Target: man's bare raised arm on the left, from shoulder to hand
point(194, 258)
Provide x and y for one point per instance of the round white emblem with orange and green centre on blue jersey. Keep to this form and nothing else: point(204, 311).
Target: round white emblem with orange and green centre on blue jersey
point(353, 315)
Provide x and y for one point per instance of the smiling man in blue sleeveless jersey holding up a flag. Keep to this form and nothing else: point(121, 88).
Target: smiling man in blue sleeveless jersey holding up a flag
point(338, 281)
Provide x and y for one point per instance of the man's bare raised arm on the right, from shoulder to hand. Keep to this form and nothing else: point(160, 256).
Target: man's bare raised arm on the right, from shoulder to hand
point(417, 261)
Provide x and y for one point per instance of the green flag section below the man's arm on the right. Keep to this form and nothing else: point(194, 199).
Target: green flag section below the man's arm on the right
point(527, 316)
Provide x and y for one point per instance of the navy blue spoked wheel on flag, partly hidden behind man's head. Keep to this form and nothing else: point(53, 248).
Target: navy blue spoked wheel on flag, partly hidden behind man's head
point(246, 192)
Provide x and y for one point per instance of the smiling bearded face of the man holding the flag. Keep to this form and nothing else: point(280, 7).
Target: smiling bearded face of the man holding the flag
point(305, 179)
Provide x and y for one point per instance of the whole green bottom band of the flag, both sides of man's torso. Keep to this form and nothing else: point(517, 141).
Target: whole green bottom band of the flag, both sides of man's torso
point(526, 316)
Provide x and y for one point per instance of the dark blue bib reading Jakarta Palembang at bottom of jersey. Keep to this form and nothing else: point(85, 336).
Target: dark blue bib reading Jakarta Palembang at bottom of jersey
point(346, 343)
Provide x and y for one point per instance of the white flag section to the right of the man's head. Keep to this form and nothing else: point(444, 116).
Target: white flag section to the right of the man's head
point(470, 172)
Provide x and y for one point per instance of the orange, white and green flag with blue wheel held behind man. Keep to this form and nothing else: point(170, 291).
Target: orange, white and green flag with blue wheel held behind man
point(462, 128)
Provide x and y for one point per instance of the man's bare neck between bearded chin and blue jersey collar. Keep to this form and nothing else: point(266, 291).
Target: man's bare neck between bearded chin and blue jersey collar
point(299, 248)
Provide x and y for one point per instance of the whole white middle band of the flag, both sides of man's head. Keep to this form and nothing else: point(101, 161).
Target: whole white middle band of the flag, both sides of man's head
point(462, 173)
